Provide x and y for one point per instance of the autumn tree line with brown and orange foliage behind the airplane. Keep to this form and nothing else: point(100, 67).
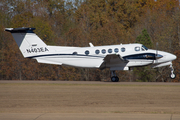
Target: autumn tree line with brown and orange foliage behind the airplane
point(78, 22)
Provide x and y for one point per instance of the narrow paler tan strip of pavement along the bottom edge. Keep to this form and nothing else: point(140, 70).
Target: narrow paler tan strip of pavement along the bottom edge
point(86, 116)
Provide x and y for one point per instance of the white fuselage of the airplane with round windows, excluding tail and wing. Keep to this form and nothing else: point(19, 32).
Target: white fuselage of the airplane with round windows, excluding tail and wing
point(89, 57)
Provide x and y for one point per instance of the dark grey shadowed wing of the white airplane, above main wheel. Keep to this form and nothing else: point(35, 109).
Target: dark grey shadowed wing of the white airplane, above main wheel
point(113, 60)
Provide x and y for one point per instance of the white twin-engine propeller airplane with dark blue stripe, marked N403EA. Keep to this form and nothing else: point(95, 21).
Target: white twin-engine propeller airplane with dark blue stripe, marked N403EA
point(114, 57)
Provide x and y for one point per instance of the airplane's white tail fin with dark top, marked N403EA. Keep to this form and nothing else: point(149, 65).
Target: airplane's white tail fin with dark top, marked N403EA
point(29, 43)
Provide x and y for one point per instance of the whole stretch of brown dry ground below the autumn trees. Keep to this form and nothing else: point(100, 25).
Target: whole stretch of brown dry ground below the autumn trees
point(41, 100)
